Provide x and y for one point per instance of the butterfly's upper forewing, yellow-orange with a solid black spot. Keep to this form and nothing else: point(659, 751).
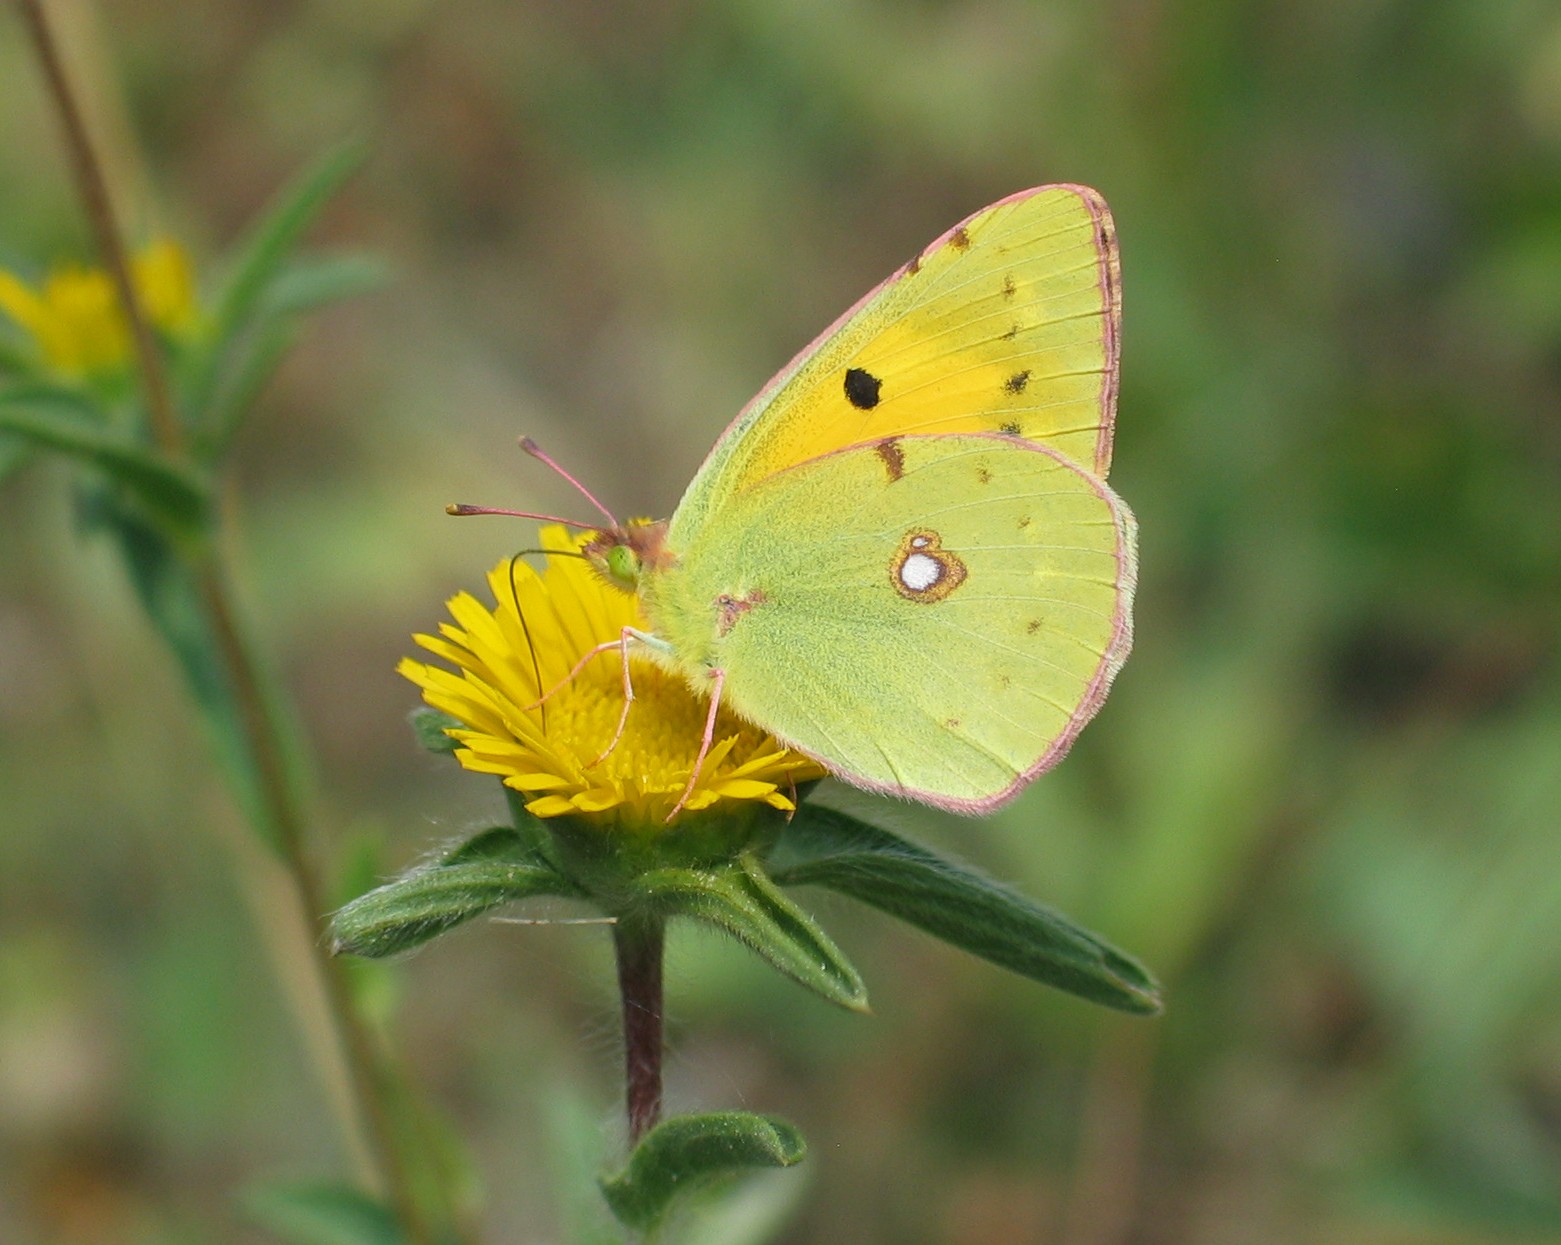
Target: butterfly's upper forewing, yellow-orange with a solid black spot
point(1008, 324)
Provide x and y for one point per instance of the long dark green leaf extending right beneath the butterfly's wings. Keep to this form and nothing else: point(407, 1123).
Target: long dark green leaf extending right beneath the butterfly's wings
point(953, 903)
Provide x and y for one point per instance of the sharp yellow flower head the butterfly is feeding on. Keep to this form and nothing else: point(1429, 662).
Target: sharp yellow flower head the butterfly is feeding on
point(527, 645)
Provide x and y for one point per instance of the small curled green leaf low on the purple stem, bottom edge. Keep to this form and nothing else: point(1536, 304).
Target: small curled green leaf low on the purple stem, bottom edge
point(688, 1154)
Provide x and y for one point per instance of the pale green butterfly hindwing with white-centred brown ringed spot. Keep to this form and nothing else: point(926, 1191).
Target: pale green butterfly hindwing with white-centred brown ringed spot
point(944, 636)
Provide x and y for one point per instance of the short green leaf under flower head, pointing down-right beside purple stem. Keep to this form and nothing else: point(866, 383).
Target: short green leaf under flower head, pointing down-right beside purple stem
point(744, 903)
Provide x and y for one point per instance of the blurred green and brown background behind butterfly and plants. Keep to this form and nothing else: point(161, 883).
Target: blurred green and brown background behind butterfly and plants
point(1325, 801)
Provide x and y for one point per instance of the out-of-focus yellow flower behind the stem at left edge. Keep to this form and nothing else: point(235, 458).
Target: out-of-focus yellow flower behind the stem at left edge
point(76, 317)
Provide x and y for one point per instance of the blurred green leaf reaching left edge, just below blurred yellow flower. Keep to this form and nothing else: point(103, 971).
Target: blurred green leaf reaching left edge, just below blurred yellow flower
point(49, 417)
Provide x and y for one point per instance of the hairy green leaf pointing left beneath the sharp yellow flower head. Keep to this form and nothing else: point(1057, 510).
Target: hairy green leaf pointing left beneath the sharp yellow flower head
point(485, 873)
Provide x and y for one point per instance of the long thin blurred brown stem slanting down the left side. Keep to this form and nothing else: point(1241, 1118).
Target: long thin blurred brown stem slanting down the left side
point(283, 807)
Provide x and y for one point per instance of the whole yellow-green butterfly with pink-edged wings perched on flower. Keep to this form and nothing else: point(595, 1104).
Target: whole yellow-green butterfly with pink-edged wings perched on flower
point(901, 558)
